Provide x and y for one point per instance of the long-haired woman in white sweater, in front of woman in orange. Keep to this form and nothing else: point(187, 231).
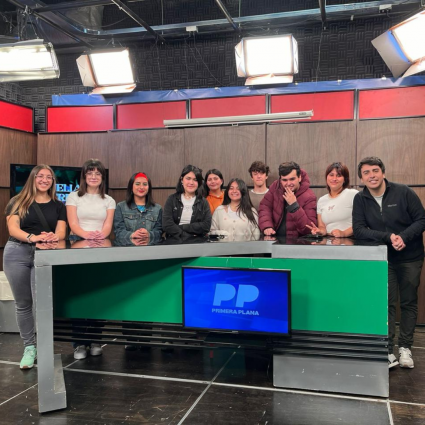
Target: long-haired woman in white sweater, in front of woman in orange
point(236, 216)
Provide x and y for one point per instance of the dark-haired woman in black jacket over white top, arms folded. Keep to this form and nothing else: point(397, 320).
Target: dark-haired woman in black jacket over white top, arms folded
point(186, 212)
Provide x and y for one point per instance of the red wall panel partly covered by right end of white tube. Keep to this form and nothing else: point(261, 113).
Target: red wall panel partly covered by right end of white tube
point(331, 106)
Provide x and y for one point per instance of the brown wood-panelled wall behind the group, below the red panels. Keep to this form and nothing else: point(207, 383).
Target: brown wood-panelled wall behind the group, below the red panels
point(162, 153)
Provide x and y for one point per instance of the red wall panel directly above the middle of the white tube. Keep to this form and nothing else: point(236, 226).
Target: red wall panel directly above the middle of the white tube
point(228, 106)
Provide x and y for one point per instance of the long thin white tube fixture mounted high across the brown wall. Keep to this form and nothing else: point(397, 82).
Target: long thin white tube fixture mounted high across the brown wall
point(240, 119)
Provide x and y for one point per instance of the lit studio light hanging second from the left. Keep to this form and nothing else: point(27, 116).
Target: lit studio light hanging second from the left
point(109, 71)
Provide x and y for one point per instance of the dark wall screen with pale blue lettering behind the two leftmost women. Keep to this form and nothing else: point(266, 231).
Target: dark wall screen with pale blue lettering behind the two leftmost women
point(67, 179)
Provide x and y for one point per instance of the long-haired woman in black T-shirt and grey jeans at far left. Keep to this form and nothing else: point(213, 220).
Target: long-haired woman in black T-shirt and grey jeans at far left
point(34, 215)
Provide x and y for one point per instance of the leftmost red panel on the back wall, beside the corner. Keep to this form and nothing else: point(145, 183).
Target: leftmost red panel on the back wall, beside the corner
point(80, 118)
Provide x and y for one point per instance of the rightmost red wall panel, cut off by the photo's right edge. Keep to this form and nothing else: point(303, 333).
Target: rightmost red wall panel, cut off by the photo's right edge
point(387, 103)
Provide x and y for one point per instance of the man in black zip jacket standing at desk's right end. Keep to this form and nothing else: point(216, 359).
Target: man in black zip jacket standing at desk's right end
point(393, 214)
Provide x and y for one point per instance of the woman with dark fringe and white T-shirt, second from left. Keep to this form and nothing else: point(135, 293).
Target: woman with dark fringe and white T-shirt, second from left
point(90, 215)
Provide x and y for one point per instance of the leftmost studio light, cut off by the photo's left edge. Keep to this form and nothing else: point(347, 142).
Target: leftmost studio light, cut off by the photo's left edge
point(28, 60)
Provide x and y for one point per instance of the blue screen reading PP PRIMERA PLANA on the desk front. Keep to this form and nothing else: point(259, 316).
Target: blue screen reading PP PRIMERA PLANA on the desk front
point(233, 299)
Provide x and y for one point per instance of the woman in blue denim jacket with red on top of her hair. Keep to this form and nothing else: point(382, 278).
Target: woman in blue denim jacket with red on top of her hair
point(138, 219)
